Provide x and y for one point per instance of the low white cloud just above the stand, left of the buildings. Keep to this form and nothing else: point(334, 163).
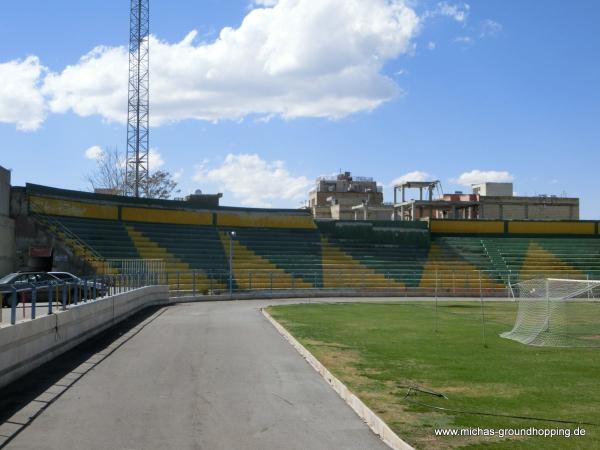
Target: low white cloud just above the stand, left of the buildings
point(254, 181)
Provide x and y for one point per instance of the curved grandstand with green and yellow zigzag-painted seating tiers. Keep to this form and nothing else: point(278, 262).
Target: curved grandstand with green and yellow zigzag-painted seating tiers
point(212, 249)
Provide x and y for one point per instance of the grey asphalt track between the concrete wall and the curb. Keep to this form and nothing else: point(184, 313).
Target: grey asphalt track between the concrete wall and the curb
point(195, 376)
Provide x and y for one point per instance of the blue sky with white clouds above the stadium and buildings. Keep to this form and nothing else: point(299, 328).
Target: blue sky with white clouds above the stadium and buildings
point(256, 99)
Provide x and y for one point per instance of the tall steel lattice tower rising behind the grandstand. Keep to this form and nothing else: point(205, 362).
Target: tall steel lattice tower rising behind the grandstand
point(138, 107)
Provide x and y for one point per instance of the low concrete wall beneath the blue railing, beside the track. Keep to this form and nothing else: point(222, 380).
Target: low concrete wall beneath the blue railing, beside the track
point(28, 345)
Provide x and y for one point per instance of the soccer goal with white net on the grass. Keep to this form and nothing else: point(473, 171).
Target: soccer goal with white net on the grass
point(557, 313)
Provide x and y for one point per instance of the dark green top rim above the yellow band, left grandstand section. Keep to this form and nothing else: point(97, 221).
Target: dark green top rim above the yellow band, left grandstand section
point(36, 189)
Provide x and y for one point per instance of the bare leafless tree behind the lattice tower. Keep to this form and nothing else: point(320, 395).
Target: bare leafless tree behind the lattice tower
point(109, 175)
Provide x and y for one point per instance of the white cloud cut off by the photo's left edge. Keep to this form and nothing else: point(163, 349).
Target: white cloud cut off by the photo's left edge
point(21, 102)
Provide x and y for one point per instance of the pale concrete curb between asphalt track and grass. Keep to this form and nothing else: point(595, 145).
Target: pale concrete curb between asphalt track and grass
point(378, 426)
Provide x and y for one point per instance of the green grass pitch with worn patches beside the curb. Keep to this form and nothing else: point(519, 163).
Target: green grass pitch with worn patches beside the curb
point(380, 350)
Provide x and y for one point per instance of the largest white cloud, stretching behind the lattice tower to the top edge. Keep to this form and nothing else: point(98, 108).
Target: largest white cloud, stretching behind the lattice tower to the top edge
point(296, 58)
